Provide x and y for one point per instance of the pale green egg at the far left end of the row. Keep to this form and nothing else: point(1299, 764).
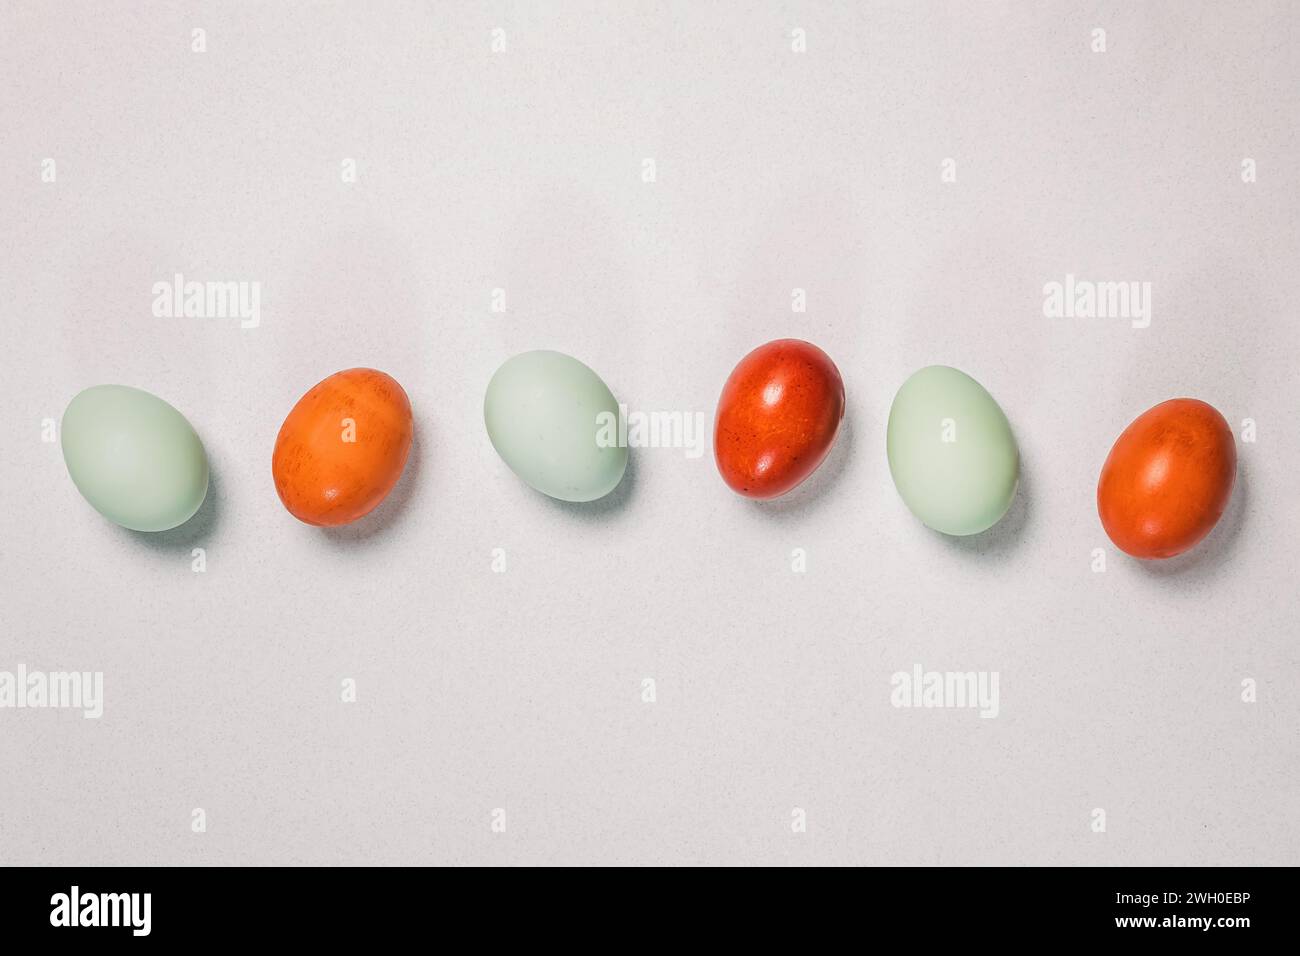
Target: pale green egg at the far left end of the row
point(135, 458)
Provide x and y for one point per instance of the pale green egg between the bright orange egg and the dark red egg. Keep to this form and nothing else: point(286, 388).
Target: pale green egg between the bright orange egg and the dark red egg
point(547, 414)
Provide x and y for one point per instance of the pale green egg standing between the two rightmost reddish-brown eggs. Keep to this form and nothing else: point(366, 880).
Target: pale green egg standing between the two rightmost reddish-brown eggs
point(952, 453)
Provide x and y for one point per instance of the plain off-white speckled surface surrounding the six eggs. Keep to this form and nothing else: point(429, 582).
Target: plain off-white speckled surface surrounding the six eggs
point(522, 170)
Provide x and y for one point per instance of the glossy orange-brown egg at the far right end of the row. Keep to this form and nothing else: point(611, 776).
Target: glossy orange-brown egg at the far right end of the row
point(1168, 479)
